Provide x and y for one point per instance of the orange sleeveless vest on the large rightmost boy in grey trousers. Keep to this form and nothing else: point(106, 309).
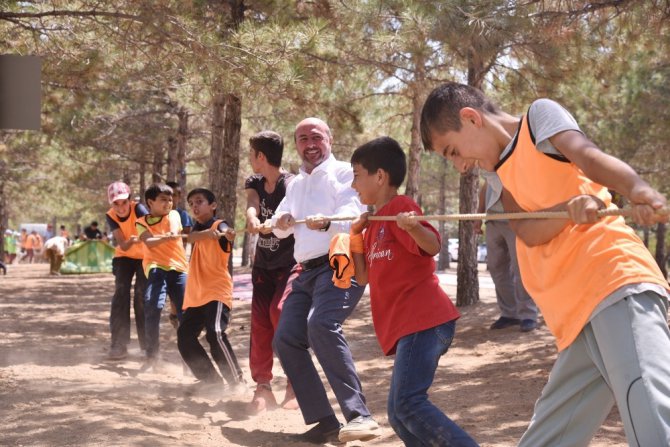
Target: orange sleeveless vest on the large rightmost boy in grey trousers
point(571, 274)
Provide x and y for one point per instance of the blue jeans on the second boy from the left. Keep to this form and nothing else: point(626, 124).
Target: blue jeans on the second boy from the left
point(159, 283)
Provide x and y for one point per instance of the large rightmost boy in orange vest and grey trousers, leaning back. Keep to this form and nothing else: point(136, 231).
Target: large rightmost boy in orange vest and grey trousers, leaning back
point(598, 287)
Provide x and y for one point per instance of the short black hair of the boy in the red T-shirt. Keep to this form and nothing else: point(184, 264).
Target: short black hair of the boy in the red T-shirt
point(382, 153)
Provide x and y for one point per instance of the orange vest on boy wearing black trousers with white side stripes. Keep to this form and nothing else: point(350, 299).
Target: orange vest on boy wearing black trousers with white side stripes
point(208, 279)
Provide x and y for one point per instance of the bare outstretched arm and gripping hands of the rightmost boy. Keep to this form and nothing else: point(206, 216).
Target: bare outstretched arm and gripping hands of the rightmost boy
point(612, 173)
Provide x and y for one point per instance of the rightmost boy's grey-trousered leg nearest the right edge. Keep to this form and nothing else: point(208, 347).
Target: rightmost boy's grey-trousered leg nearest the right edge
point(634, 343)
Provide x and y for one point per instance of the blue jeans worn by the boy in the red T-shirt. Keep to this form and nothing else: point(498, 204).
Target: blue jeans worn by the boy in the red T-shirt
point(413, 417)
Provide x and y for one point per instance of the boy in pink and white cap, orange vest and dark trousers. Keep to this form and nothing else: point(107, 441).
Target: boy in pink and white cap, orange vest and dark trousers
point(127, 262)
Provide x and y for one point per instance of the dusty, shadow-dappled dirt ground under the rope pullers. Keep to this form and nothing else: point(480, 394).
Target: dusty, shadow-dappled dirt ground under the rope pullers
point(56, 389)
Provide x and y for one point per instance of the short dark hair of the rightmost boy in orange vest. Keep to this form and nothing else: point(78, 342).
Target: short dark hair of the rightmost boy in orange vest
point(440, 112)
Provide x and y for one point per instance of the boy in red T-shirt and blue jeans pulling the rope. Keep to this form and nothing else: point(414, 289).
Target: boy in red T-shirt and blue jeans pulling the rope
point(413, 317)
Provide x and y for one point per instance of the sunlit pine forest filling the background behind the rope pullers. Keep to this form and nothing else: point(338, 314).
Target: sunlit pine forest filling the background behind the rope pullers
point(145, 91)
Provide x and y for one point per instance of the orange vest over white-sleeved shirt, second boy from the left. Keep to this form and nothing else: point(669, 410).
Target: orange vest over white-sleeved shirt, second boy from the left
point(169, 255)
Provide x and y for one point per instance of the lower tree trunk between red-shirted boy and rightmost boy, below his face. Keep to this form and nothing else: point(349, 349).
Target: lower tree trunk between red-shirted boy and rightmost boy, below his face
point(467, 290)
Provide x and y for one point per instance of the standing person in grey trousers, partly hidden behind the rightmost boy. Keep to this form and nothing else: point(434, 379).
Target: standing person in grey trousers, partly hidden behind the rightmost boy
point(517, 308)
